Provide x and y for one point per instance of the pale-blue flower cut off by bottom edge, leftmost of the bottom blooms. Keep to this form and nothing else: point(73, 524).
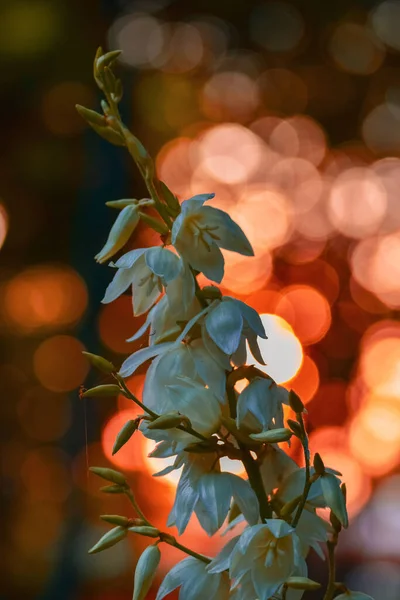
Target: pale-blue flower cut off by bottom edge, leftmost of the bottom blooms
point(195, 582)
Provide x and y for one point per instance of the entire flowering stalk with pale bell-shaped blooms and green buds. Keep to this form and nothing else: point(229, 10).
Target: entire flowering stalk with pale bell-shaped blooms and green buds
point(195, 344)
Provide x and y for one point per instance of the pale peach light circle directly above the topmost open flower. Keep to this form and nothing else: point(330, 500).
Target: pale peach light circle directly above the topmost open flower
point(229, 153)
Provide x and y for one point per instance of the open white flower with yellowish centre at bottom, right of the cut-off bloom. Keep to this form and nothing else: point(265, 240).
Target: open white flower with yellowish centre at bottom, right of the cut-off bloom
point(266, 554)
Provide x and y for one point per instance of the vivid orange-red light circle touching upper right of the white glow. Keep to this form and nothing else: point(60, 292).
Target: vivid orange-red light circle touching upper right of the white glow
point(307, 311)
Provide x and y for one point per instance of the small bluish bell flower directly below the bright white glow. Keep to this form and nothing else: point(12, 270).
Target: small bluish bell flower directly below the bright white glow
point(259, 405)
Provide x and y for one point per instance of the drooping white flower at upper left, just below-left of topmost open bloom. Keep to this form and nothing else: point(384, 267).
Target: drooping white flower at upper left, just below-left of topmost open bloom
point(148, 271)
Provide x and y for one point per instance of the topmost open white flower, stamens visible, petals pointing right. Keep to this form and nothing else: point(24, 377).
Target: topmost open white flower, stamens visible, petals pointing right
point(200, 231)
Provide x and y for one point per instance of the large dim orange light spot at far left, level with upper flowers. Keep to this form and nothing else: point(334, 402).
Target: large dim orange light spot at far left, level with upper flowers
point(44, 297)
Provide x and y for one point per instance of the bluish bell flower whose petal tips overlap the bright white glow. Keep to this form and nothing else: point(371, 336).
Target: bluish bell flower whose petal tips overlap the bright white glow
point(230, 322)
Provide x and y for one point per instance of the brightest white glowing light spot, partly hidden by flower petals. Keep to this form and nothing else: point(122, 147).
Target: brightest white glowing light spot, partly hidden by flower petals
point(282, 351)
